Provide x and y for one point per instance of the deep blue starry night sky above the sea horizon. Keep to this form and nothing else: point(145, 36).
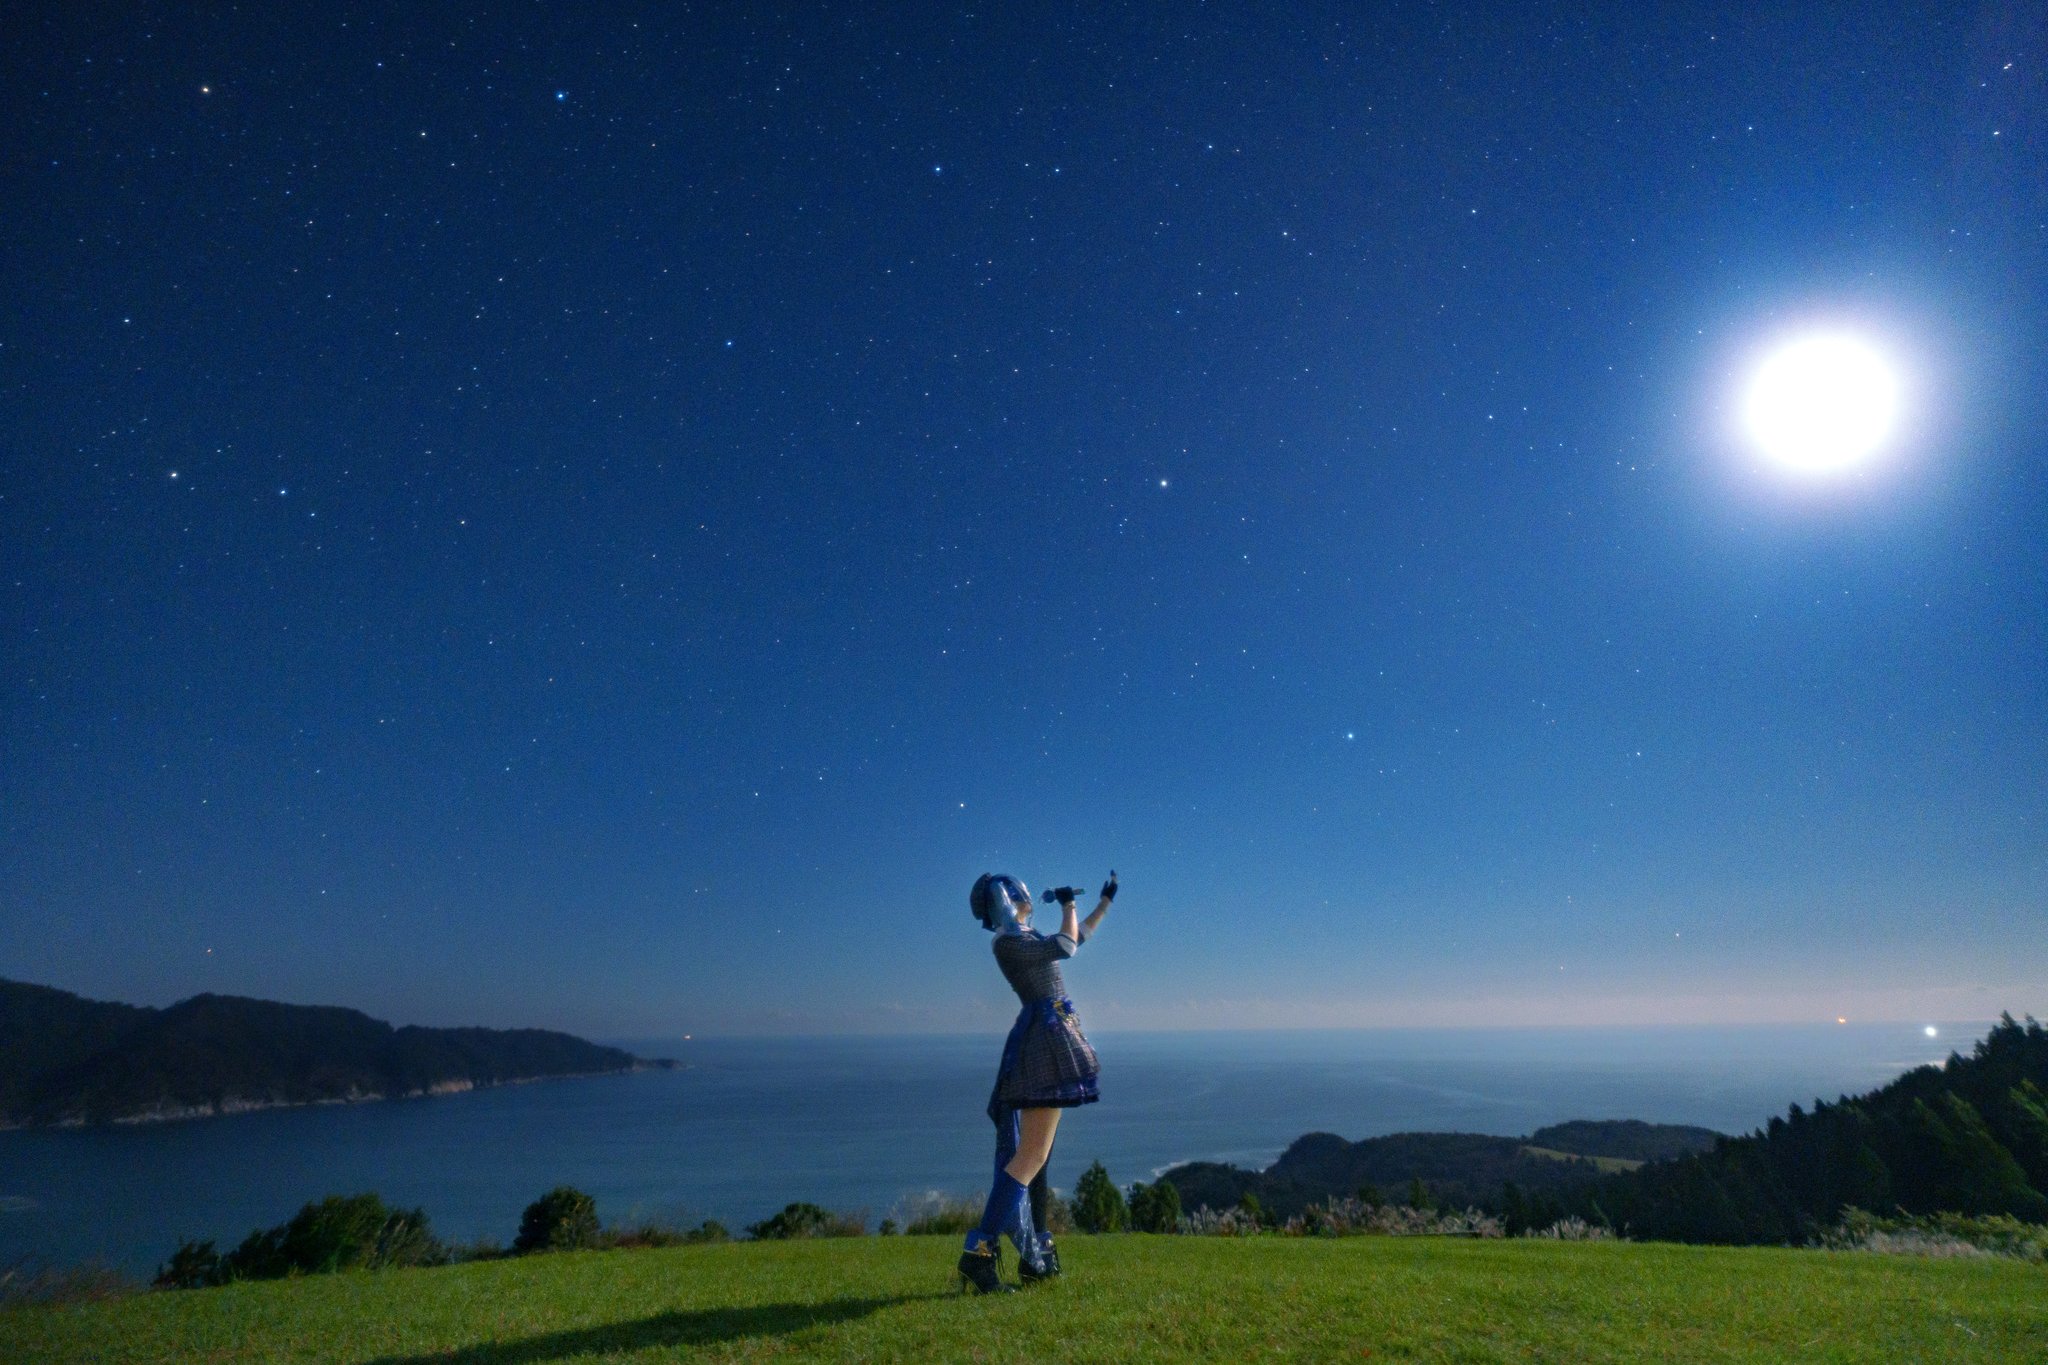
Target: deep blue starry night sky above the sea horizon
point(613, 517)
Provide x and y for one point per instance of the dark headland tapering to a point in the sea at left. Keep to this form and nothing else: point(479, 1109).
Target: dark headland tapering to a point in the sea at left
point(73, 1061)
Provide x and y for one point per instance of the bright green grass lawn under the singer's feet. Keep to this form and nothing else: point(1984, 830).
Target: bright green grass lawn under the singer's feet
point(1125, 1298)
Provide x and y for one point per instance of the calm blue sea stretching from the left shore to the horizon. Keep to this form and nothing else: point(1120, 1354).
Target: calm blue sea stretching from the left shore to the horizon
point(884, 1122)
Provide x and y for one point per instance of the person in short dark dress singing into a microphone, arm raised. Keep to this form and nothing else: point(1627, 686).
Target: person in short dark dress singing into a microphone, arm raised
point(1048, 1067)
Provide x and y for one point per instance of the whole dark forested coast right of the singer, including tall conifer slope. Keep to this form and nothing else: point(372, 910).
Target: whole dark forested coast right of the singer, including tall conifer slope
point(1969, 1137)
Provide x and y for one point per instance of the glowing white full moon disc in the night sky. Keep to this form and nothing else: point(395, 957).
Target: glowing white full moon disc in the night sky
point(1822, 402)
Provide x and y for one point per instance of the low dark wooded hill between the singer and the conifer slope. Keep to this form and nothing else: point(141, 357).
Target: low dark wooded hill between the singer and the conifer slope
point(1455, 1168)
